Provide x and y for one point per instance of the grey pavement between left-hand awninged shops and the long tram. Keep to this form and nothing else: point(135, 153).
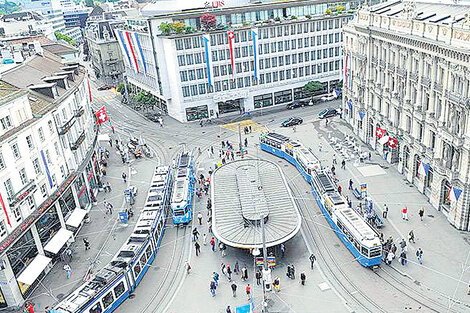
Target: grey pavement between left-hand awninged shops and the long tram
point(105, 232)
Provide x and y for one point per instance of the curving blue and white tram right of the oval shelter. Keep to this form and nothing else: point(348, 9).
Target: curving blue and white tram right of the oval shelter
point(357, 235)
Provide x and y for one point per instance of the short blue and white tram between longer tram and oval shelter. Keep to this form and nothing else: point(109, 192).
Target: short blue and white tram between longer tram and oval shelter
point(183, 190)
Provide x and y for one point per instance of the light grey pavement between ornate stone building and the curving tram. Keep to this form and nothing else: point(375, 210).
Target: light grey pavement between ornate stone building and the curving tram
point(446, 260)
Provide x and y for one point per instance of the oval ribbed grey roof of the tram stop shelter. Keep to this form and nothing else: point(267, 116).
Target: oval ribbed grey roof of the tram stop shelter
point(242, 192)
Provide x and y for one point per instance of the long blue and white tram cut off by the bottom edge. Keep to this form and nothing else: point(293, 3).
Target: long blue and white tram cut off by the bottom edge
point(114, 283)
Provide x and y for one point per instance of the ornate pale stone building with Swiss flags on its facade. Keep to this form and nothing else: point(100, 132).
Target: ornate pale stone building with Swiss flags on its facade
point(407, 72)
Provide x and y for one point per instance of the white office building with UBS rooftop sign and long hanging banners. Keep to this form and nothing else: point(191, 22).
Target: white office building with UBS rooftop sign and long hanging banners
point(195, 72)
